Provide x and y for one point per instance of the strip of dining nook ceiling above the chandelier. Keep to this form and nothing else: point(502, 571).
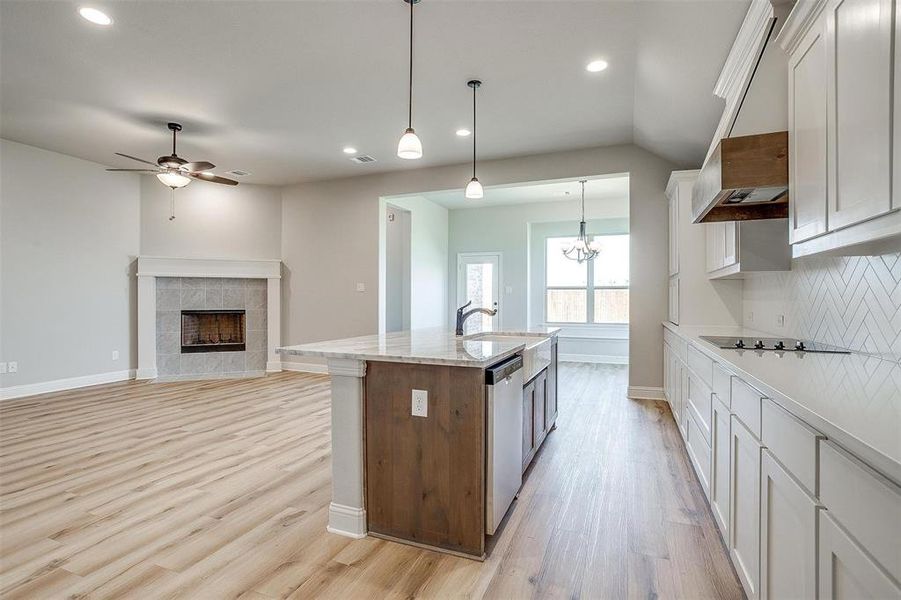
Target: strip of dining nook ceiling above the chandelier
point(607, 189)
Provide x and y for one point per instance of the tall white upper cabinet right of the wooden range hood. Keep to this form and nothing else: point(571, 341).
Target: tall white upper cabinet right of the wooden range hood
point(844, 127)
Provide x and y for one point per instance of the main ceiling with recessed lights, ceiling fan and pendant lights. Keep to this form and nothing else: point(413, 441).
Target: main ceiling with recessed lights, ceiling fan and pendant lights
point(278, 88)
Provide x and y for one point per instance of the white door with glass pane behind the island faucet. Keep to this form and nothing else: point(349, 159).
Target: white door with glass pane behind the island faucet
point(479, 280)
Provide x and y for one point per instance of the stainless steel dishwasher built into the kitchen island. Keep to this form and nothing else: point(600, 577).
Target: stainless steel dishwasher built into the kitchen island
point(503, 393)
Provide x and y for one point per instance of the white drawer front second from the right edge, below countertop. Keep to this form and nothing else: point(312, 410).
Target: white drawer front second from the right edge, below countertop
point(792, 442)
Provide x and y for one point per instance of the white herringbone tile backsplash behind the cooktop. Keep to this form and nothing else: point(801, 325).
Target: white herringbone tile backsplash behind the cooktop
point(848, 301)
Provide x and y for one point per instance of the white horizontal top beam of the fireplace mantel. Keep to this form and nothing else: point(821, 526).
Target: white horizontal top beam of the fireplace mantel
point(154, 266)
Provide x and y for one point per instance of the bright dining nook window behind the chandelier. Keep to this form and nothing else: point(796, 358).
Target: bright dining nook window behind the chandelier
point(596, 291)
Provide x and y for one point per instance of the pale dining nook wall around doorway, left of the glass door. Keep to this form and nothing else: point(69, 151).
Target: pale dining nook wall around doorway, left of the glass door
point(428, 260)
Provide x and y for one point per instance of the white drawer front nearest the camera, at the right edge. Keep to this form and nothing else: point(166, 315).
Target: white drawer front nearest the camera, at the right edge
point(864, 503)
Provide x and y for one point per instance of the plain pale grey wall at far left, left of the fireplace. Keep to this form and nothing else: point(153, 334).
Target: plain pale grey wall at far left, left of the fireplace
point(69, 235)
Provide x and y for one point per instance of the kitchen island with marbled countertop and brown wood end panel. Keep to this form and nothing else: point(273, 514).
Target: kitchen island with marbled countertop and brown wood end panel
point(425, 478)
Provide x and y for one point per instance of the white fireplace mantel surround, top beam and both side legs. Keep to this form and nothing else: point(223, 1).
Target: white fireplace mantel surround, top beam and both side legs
point(151, 267)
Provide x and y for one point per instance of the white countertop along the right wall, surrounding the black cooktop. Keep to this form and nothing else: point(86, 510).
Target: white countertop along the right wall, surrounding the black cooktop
point(855, 398)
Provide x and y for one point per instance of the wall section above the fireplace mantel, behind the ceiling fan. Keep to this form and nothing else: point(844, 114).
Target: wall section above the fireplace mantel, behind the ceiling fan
point(211, 220)
